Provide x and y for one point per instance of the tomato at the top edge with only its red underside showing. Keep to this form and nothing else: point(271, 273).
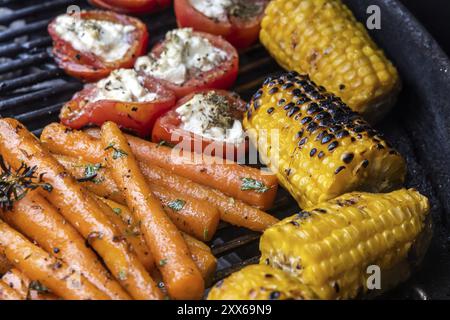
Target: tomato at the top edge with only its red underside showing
point(132, 6)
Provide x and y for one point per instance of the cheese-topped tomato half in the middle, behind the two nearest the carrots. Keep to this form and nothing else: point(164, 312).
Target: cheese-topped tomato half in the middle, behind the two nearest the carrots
point(188, 61)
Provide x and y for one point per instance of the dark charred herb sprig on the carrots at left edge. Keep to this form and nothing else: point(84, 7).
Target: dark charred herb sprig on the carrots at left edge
point(15, 184)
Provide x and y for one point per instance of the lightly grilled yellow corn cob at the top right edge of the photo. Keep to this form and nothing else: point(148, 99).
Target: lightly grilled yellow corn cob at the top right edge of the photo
point(323, 39)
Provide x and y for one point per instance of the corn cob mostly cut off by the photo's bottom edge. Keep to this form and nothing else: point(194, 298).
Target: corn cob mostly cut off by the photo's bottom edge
point(260, 282)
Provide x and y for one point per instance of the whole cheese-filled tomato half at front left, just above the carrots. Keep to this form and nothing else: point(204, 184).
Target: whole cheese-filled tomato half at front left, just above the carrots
point(133, 102)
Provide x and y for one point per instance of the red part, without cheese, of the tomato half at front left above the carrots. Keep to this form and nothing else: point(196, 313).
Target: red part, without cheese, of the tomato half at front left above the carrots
point(138, 117)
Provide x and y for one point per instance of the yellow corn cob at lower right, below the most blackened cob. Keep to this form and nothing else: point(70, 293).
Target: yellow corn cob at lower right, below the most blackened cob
point(329, 247)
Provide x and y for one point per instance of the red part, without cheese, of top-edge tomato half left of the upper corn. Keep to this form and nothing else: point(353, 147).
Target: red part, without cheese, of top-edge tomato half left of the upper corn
point(240, 30)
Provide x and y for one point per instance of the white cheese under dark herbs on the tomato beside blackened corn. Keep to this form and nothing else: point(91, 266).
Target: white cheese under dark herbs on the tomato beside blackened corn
point(202, 115)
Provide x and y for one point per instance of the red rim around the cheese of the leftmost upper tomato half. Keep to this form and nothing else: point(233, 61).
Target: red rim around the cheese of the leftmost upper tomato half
point(89, 67)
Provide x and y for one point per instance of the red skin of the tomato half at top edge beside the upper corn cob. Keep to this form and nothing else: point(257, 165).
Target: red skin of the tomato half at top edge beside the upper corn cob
point(240, 34)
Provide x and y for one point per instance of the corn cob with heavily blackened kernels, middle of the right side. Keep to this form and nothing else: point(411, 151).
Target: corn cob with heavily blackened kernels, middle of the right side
point(318, 147)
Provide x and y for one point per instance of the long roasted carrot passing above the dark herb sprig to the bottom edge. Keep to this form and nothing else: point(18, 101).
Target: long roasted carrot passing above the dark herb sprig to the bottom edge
point(18, 146)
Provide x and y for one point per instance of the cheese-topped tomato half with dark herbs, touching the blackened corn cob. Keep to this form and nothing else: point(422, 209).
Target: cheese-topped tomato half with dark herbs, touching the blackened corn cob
point(206, 121)
